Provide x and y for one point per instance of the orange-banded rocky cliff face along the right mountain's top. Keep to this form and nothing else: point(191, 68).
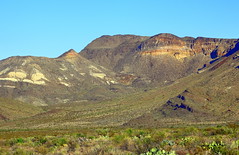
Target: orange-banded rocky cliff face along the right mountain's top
point(185, 47)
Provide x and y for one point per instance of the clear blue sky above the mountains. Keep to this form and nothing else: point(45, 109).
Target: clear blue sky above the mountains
point(51, 27)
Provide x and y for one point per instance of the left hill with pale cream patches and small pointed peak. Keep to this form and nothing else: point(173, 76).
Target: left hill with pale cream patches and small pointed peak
point(42, 81)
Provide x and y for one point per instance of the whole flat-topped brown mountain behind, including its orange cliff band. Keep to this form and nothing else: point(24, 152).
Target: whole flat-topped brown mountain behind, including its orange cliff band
point(162, 58)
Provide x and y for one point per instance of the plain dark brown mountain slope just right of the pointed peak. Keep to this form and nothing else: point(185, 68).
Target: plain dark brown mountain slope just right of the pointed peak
point(108, 51)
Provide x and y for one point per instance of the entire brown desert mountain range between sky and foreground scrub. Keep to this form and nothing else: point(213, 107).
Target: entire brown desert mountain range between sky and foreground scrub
point(124, 80)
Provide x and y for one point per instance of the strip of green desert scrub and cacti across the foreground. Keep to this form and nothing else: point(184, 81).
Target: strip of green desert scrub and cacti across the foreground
point(163, 141)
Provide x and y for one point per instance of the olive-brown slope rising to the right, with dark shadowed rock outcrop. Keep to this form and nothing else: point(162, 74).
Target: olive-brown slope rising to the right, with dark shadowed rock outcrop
point(208, 97)
